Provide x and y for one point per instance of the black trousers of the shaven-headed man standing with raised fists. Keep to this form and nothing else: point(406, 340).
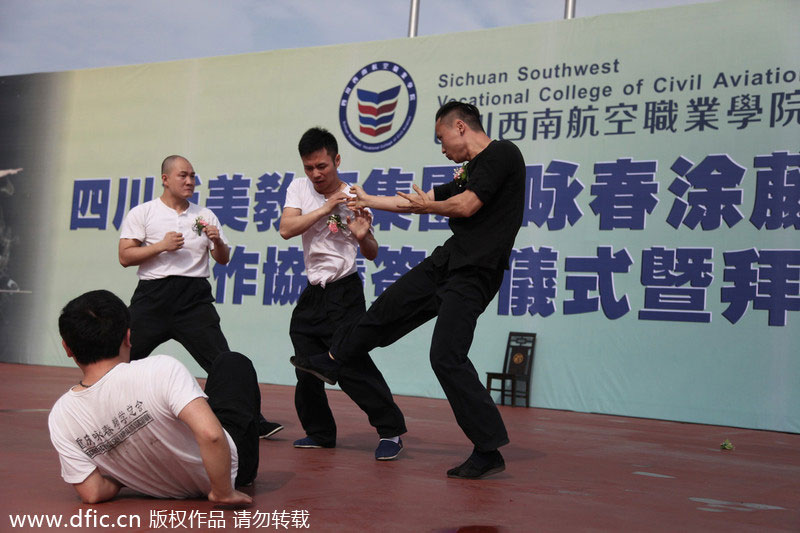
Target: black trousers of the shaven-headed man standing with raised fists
point(177, 308)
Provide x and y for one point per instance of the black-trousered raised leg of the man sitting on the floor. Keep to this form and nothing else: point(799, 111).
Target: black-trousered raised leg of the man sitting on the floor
point(234, 396)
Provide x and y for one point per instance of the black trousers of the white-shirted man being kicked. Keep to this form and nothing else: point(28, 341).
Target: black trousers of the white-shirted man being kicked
point(315, 320)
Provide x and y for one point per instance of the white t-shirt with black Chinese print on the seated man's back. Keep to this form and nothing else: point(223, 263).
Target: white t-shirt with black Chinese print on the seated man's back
point(127, 426)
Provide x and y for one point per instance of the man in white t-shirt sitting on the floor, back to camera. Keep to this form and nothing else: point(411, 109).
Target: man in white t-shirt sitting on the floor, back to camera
point(147, 424)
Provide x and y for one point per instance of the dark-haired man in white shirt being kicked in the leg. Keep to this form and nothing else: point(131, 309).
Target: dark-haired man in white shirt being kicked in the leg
point(334, 296)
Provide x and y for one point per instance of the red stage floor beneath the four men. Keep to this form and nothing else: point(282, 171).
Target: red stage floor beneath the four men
point(565, 471)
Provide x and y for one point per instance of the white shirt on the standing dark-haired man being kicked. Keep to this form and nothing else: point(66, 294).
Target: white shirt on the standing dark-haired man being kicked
point(328, 256)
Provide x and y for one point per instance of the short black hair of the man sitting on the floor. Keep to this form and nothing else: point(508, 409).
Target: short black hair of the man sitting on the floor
point(93, 326)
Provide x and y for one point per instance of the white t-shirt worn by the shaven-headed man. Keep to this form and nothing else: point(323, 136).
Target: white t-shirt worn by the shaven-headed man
point(149, 223)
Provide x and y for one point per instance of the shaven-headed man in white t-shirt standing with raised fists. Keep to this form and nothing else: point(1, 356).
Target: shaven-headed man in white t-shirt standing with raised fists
point(169, 239)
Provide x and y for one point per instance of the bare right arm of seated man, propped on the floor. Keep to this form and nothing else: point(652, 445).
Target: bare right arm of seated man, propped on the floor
point(214, 450)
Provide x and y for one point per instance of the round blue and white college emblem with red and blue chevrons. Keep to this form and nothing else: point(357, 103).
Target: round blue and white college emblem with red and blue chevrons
point(377, 106)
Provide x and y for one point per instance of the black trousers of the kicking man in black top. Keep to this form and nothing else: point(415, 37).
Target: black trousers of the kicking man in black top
point(457, 298)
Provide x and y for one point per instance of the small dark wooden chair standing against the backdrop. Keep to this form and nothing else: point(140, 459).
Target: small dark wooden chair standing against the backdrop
point(515, 379)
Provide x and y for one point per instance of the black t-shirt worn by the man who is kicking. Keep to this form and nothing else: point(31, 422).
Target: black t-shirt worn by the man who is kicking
point(485, 239)
